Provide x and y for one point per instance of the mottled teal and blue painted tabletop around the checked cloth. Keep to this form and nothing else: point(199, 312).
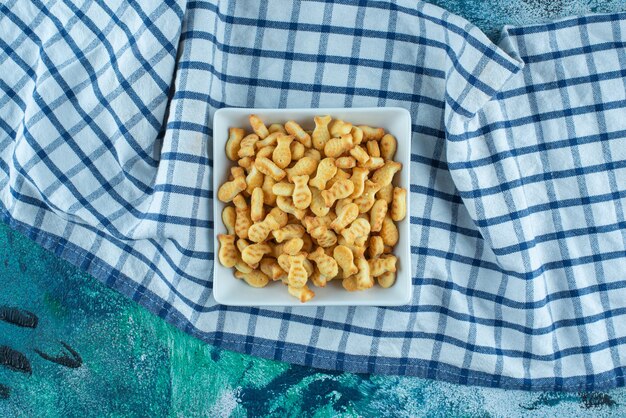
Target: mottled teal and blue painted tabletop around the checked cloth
point(91, 352)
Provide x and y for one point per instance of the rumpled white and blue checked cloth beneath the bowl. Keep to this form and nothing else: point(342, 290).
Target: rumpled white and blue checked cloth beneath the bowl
point(518, 172)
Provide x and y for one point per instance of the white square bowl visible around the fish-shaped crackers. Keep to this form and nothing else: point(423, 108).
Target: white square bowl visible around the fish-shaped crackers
point(228, 290)
